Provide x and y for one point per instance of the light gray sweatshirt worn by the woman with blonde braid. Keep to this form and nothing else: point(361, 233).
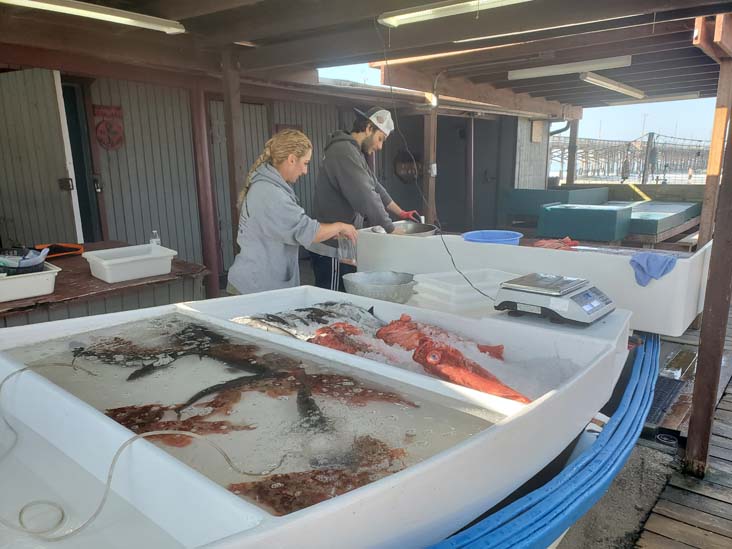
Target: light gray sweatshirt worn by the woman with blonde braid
point(272, 226)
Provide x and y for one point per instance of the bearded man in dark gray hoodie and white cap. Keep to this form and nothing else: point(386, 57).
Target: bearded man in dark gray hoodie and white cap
point(347, 191)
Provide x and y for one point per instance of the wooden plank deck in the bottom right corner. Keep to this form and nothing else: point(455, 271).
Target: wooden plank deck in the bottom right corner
point(698, 513)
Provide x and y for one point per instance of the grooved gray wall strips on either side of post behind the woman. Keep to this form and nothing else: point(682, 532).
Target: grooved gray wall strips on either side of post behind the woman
point(256, 133)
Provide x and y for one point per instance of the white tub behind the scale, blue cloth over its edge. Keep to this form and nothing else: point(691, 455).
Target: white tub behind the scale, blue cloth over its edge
point(666, 306)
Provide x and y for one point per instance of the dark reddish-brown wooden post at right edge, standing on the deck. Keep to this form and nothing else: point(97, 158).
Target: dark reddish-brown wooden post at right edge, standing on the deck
point(714, 326)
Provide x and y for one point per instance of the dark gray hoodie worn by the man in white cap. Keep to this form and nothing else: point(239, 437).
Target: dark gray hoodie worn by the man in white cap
point(347, 190)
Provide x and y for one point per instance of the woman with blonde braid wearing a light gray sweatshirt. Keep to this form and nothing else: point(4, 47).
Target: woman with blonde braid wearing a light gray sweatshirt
point(272, 225)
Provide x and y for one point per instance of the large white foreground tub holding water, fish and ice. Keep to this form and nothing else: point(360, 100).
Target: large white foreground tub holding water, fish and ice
point(573, 369)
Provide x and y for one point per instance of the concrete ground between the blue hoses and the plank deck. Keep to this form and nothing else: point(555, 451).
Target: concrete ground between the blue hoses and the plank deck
point(617, 519)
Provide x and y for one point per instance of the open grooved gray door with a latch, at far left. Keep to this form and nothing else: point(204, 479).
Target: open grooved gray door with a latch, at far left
point(32, 158)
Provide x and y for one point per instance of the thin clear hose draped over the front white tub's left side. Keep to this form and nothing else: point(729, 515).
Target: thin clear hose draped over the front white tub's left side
point(45, 533)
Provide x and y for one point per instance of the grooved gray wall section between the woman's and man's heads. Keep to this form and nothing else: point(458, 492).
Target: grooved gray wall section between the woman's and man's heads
point(318, 122)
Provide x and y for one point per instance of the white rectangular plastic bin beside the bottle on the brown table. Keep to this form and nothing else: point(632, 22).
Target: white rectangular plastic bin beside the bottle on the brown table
point(130, 262)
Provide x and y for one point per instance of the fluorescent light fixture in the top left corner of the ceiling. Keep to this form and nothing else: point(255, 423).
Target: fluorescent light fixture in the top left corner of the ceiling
point(103, 13)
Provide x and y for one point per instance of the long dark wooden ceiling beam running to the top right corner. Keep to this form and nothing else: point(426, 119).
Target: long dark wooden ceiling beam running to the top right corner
point(364, 38)
